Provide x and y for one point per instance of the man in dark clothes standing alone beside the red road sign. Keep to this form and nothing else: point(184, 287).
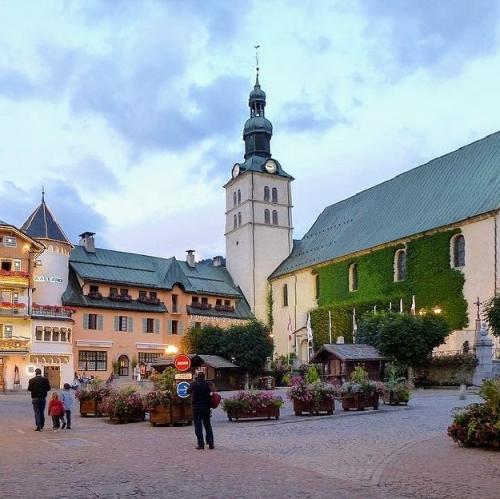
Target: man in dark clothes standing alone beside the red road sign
point(201, 396)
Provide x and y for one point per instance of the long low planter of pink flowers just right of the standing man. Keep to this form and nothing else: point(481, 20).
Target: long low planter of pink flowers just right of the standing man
point(252, 405)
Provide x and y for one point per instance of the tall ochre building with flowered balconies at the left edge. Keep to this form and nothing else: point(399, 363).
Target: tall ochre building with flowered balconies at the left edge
point(18, 254)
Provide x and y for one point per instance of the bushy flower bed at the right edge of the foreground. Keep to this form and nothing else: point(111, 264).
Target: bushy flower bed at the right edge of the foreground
point(478, 425)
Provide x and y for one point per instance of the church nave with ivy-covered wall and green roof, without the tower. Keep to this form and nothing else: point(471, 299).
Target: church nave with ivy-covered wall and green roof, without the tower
point(426, 241)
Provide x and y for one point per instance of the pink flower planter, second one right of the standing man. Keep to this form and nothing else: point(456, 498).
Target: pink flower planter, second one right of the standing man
point(312, 398)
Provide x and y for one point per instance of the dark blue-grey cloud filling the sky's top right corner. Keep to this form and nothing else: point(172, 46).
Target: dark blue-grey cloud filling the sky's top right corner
point(430, 34)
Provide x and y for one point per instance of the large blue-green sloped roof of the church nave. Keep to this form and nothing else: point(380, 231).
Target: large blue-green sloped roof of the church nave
point(446, 190)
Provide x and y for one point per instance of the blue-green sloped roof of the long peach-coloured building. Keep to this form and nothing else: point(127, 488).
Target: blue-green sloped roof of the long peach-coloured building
point(132, 269)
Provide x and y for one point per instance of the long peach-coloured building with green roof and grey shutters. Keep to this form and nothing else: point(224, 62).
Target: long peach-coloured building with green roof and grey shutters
point(132, 308)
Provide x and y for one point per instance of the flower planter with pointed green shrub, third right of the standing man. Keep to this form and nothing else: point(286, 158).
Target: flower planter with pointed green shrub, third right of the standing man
point(360, 392)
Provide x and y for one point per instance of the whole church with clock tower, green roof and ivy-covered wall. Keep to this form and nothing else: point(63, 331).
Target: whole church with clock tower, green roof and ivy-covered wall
point(426, 241)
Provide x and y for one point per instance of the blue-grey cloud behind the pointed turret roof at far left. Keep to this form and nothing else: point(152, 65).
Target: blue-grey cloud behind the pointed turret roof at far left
point(71, 212)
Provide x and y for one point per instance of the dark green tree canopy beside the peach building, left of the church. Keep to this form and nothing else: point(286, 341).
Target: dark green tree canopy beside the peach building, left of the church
point(248, 345)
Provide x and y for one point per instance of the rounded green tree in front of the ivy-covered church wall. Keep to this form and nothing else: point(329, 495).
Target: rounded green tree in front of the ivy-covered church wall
point(408, 339)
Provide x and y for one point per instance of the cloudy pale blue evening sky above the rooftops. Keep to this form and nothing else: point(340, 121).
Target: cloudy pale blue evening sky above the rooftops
point(130, 113)
